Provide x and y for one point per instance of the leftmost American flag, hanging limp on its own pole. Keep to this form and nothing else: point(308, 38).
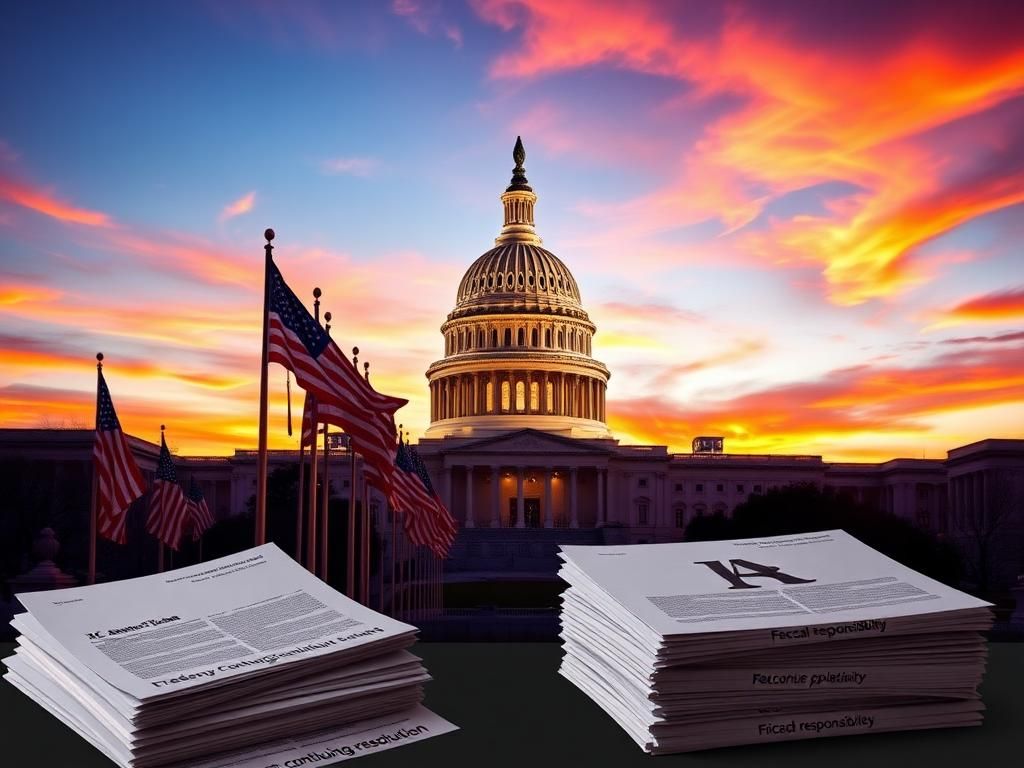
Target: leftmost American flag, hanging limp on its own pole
point(119, 481)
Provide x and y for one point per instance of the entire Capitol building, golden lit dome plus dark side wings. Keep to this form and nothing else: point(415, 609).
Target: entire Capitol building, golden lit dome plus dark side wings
point(519, 444)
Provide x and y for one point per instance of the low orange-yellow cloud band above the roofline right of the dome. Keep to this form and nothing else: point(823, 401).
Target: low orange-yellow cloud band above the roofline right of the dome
point(848, 407)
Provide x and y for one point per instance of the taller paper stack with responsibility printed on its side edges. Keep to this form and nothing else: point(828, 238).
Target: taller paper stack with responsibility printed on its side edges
point(698, 646)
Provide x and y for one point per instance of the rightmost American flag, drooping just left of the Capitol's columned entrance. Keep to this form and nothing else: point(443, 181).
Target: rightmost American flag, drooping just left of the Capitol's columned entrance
point(426, 521)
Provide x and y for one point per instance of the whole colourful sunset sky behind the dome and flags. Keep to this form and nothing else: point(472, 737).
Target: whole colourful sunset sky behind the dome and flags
point(796, 225)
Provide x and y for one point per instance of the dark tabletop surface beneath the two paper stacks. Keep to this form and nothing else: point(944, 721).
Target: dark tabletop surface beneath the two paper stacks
point(515, 711)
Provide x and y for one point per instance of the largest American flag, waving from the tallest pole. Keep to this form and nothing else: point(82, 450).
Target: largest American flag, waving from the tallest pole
point(344, 397)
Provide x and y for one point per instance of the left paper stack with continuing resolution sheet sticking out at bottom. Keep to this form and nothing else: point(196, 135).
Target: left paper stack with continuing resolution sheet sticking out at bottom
point(238, 662)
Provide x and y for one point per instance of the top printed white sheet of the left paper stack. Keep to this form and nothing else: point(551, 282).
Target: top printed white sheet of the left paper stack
point(219, 620)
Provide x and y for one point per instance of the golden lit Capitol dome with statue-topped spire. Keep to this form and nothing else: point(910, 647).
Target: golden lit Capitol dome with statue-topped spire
point(518, 345)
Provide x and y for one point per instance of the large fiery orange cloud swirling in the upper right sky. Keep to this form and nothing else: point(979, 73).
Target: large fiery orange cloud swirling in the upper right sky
point(806, 114)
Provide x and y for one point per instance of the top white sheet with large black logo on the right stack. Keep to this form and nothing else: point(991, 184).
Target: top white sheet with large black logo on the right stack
point(804, 588)
